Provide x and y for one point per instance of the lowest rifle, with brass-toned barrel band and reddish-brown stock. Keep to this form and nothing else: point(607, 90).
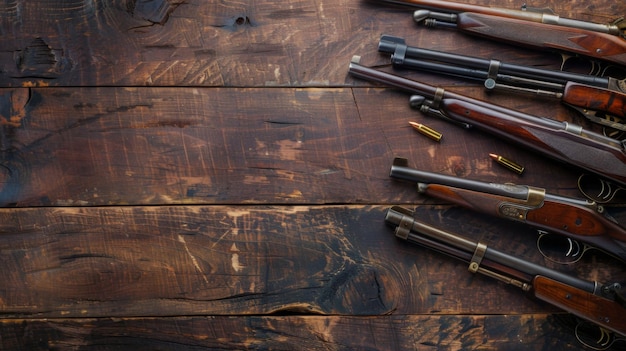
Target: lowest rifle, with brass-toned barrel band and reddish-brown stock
point(600, 304)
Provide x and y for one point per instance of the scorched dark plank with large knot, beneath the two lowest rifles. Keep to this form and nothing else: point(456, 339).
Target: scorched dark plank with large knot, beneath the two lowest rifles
point(182, 260)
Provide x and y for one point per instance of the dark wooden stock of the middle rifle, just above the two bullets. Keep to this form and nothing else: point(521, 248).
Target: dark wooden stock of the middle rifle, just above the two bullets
point(571, 147)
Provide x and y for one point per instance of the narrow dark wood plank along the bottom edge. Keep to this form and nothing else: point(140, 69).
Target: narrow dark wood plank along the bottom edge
point(516, 332)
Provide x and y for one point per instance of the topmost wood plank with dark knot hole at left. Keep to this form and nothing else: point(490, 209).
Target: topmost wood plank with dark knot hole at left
point(217, 43)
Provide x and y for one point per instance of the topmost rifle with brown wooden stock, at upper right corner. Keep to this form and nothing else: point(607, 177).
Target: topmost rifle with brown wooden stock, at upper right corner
point(533, 28)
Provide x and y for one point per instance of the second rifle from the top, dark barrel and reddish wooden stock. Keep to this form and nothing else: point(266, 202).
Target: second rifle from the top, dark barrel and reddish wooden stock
point(585, 93)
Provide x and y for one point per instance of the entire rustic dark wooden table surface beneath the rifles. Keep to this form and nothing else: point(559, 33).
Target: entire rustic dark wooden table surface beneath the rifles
point(200, 174)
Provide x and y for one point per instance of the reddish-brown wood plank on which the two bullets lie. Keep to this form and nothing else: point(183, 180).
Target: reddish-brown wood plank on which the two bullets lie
point(104, 146)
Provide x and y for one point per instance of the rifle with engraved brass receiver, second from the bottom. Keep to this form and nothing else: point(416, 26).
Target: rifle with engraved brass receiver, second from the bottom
point(581, 220)
